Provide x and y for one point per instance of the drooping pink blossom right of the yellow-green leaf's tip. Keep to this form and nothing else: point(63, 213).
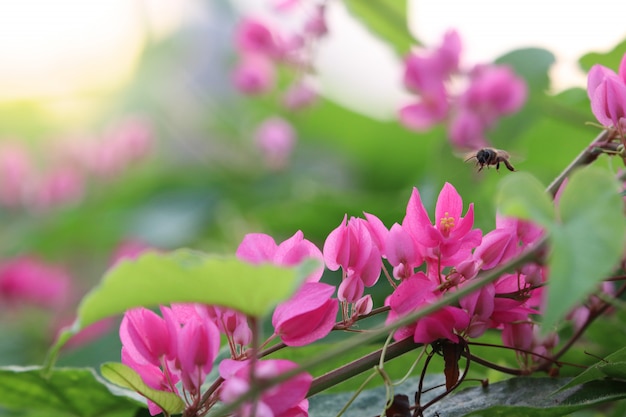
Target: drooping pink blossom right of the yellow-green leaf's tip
point(351, 247)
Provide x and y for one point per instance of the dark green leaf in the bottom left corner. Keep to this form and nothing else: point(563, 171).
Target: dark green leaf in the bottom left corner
point(66, 392)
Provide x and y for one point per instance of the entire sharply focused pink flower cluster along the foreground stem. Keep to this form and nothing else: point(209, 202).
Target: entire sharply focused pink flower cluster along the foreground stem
point(428, 260)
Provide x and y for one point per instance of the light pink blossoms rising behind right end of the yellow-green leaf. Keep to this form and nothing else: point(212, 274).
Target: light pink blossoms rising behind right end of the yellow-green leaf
point(259, 247)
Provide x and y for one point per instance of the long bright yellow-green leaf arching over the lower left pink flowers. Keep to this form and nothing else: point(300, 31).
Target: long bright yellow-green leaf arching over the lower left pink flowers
point(185, 276)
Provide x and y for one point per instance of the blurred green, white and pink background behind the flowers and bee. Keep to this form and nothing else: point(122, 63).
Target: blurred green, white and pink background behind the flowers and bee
point(121, 128)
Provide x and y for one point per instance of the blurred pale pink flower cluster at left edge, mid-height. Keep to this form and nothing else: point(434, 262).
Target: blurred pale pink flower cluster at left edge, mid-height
point(61, 175)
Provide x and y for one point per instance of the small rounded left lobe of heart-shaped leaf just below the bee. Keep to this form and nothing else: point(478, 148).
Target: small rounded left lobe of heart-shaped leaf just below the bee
point(523, 196)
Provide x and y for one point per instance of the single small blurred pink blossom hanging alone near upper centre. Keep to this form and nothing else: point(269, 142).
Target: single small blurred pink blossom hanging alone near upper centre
point(275, 138)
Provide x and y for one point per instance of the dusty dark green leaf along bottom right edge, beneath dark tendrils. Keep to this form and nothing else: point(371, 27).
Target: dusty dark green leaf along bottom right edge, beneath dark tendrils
point(523, 397)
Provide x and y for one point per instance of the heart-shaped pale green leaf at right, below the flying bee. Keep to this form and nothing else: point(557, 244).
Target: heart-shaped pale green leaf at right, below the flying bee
point(586, 241)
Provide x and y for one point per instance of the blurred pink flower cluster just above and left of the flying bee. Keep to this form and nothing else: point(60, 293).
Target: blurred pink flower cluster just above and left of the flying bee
point(491, 91)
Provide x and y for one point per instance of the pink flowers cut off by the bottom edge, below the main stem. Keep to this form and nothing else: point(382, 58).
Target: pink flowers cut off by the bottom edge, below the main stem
point(286, 399)
